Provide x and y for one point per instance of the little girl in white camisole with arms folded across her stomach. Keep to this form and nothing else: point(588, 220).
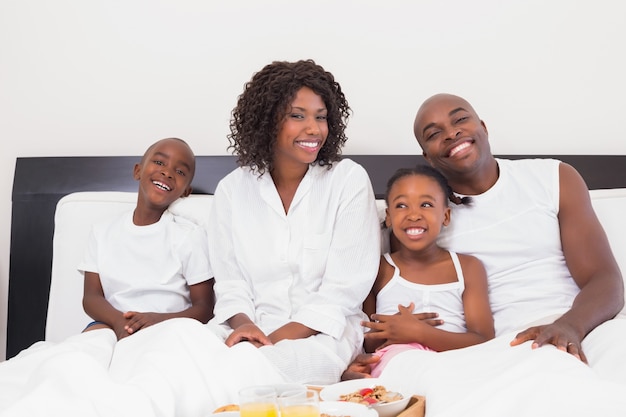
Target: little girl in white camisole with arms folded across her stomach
point(420, 276)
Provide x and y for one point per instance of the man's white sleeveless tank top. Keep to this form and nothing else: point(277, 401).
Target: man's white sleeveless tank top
point(513, 228)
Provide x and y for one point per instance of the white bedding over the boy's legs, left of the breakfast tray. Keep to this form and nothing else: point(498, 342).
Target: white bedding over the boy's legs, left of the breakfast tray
point(175, 368)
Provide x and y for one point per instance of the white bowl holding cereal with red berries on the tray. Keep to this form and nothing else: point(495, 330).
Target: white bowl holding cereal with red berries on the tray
point(390, 409)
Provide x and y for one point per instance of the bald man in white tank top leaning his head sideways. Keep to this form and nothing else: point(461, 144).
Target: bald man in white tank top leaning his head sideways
point(531, 222)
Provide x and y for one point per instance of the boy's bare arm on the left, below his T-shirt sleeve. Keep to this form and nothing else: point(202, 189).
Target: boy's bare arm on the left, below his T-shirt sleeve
point(98, 308)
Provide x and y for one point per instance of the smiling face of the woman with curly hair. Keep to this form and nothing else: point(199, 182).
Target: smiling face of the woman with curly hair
point(303, 131)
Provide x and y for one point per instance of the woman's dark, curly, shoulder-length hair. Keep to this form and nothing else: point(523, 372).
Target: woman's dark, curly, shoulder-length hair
point(264, 103)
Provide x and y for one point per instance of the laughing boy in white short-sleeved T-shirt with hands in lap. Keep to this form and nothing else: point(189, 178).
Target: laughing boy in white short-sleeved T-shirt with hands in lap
point(148, 265)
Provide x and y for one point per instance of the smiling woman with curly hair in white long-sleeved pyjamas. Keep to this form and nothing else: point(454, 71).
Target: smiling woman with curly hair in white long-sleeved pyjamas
point(294, 244)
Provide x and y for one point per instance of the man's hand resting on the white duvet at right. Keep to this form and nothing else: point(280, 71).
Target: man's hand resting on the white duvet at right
point(559, 334)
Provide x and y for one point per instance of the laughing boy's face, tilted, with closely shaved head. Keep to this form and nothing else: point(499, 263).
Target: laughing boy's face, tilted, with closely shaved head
point(165, 173)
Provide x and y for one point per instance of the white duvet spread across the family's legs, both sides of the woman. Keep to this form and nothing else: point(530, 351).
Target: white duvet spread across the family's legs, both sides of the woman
point(179, 368)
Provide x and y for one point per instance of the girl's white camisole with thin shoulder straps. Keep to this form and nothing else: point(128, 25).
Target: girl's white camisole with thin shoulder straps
point(445, 299)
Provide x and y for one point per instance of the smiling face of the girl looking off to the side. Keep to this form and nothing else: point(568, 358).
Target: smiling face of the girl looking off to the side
point(417, 211)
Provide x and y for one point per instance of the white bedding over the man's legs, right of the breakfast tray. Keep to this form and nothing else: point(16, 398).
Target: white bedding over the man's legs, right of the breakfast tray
point(497, 380)
